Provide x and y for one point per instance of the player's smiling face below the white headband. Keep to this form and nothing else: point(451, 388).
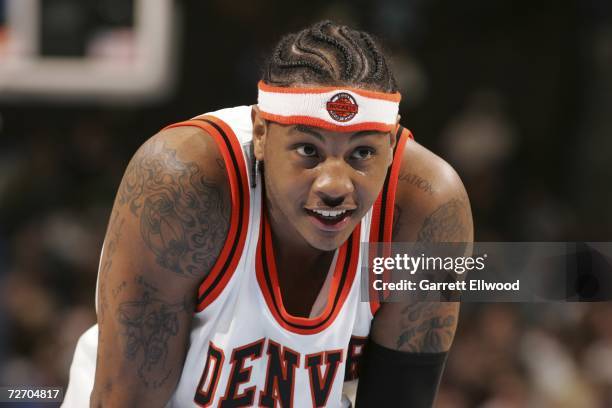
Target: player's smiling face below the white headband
point(319, 183)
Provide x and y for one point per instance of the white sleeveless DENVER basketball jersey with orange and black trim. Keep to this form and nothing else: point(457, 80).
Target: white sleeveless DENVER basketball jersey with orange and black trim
point(245, 349)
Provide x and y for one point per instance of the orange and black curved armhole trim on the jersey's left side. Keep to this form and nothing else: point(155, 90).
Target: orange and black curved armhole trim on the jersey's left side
point(230, 255)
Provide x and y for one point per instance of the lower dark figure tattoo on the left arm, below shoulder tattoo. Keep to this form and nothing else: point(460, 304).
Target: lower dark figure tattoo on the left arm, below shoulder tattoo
point(148, 326)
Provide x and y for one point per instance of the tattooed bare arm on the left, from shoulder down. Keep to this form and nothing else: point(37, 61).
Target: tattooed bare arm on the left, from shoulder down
point(168, 225)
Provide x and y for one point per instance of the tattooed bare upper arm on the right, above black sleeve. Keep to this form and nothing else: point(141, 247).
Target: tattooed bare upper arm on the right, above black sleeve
point(431, 206)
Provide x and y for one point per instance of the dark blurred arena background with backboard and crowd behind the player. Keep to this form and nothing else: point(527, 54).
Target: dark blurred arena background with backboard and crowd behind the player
point(516, 95)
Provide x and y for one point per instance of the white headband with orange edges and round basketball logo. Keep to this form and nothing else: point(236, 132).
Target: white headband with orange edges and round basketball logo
point(339, 109)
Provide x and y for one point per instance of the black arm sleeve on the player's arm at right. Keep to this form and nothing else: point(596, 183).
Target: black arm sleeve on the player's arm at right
point(390, 378)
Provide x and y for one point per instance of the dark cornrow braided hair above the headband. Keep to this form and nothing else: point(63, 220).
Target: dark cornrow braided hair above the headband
point(329, 54)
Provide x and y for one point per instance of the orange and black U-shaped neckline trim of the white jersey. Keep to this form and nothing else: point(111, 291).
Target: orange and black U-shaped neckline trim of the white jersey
point(342, 281)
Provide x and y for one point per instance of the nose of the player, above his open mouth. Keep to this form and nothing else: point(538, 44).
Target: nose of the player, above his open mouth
point(333, 183)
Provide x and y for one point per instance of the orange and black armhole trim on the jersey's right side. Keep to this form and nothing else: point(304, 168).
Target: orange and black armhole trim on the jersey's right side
point(381, 227)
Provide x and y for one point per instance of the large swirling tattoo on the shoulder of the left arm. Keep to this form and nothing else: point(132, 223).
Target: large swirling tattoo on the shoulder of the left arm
point(184, 217)
